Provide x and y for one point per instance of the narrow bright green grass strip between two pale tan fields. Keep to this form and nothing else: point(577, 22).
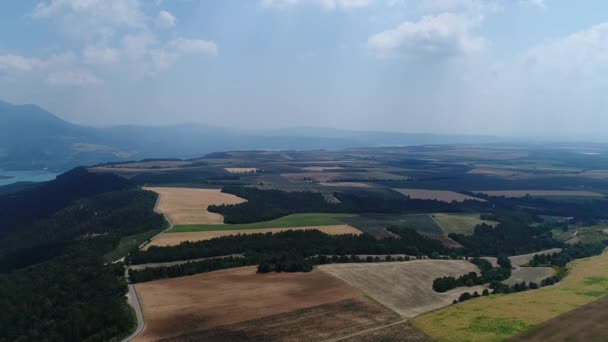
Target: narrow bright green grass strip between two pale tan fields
point(296, 220)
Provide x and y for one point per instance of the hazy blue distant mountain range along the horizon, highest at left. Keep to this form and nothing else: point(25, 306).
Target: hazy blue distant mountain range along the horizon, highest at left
point(33, 138)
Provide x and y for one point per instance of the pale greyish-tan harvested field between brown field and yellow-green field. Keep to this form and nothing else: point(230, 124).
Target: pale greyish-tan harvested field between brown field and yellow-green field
point(405, 287)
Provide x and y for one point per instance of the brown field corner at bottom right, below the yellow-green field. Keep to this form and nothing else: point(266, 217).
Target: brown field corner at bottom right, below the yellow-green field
point(587, 323)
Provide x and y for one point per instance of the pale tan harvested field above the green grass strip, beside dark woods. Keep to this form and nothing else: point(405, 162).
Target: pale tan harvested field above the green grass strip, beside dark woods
point(189, 206)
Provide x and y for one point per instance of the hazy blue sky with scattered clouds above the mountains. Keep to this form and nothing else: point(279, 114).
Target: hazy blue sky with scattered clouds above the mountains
point(535, 68)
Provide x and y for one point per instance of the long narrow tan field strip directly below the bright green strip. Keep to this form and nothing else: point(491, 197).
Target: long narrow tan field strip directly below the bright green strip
point(173, 239)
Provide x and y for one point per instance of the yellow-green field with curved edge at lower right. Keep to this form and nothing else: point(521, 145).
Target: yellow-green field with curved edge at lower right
point(499, 317)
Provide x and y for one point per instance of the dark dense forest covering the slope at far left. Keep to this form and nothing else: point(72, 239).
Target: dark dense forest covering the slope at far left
point(55, 284)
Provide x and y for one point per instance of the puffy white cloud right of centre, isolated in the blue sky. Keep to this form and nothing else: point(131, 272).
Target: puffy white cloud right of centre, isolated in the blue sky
point(442, 35)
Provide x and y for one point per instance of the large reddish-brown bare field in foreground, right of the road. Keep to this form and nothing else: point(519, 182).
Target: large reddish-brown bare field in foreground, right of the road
point(238, 304)
